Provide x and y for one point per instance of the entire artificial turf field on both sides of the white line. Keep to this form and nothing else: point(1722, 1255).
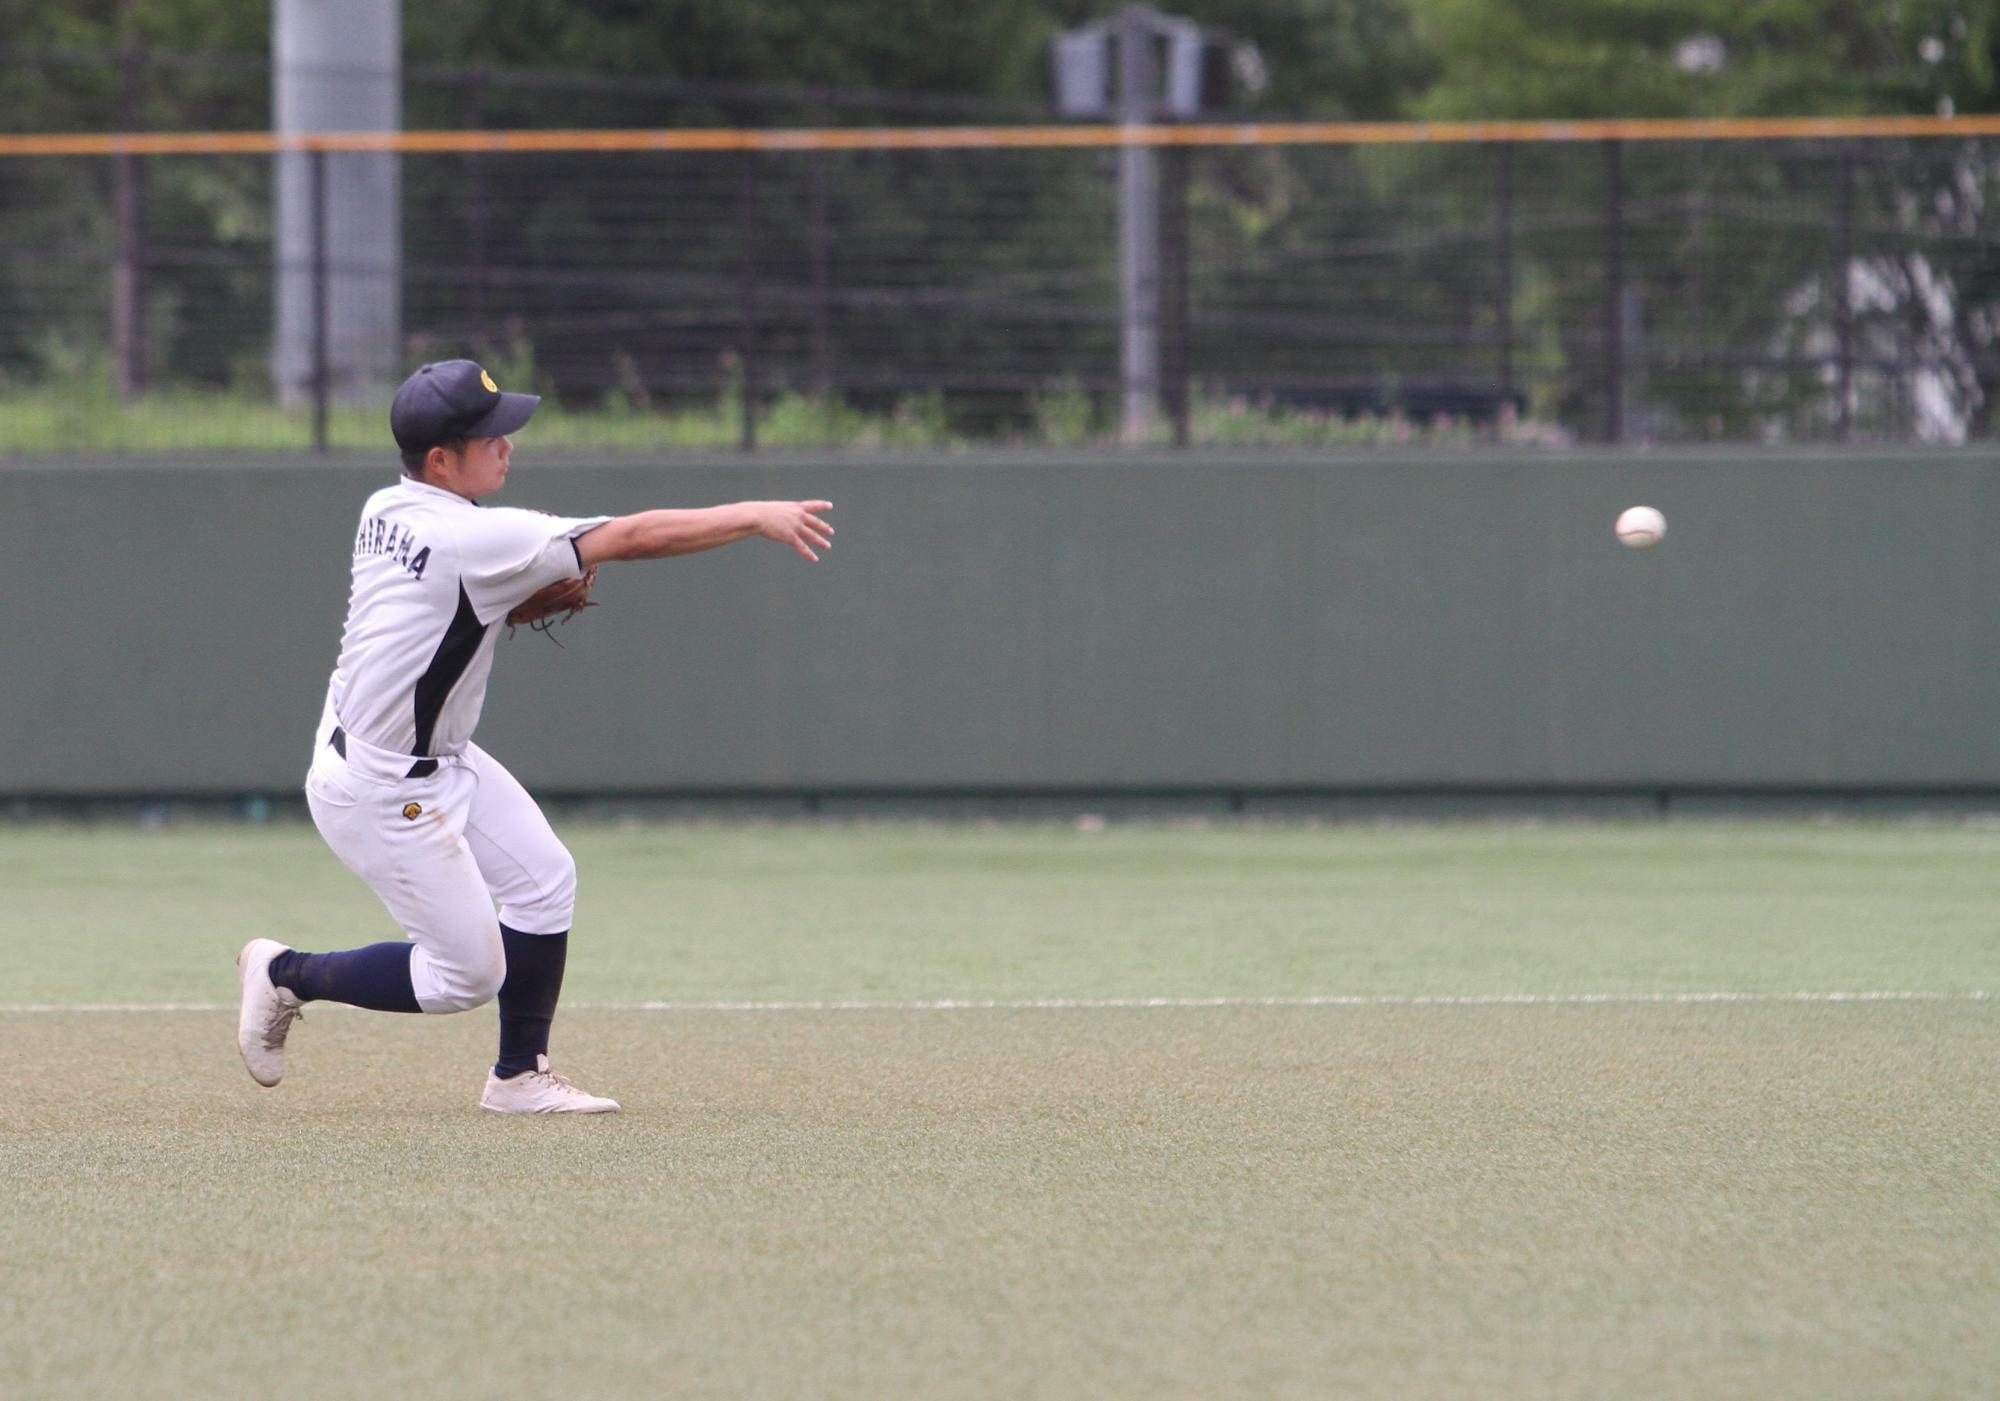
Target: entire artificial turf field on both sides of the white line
point(1405, 1200)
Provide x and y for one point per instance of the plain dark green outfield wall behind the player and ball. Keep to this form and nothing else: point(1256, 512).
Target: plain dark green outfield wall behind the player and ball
point(1069, 625)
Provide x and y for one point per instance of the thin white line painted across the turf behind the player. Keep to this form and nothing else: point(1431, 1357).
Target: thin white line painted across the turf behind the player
point(1137, 1004)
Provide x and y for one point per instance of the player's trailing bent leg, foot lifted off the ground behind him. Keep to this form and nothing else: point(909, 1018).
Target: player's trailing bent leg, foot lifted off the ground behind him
point(405, 840)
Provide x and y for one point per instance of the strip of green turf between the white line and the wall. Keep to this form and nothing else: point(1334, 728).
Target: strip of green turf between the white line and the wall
point(925, 912)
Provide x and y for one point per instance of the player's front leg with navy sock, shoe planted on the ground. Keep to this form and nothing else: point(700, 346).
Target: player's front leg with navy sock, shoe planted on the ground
point(533, 876)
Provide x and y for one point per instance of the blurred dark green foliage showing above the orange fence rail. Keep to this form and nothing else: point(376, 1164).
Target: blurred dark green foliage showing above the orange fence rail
point(1363, 59)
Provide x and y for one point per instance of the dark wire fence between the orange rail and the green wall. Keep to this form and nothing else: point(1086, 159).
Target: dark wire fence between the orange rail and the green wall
point(1611, 291)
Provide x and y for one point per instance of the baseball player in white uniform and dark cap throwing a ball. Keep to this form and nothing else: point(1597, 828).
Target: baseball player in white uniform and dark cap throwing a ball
point(437, 828)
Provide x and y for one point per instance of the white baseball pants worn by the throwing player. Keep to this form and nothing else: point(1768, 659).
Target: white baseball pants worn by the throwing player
point(441, 852)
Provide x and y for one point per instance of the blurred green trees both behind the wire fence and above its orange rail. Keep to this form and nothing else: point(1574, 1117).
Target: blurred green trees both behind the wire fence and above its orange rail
point(1309, 267)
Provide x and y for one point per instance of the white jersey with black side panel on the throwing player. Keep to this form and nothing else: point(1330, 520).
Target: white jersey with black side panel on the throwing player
point(433, 577)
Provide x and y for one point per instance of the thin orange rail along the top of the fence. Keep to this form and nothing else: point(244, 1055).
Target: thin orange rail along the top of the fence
point(1007, 137)
